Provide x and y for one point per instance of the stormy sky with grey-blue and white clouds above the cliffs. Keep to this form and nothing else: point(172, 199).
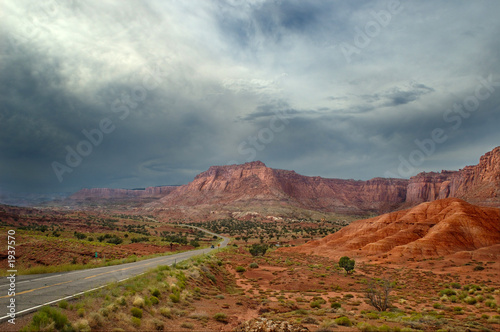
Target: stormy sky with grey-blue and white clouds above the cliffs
point(130, 94)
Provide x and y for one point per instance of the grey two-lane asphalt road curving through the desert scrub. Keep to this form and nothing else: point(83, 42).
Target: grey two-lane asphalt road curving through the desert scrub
point(34, 291)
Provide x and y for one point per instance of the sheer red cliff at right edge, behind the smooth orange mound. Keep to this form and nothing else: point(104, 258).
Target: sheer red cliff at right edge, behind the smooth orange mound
point(477, 184)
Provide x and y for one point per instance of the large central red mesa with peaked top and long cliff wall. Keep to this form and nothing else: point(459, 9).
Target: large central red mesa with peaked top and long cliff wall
point(254, 182)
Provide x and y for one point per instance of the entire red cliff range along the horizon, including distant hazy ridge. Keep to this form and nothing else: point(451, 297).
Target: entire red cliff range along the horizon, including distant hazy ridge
point(254, 183)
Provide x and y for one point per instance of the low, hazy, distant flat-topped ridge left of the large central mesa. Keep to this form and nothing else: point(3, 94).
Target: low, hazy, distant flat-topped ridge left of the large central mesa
point(107, 193)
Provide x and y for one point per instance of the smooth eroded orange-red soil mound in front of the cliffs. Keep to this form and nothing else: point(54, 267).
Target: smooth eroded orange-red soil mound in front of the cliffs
point(434, 229)
